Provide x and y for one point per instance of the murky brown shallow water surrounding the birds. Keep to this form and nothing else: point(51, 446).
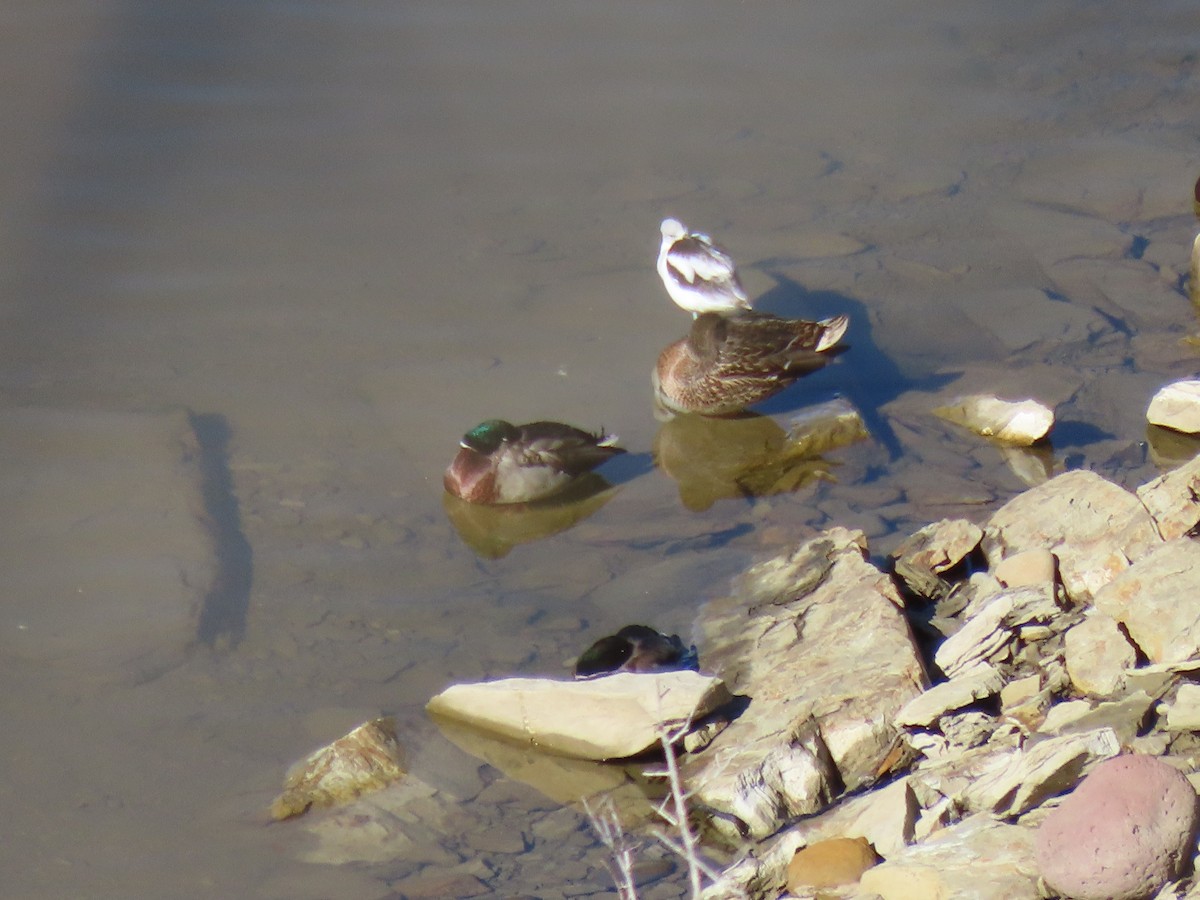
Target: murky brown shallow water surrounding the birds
point(341, 236)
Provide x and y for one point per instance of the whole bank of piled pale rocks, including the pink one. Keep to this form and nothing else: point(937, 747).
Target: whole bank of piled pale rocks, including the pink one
point(1064, 639)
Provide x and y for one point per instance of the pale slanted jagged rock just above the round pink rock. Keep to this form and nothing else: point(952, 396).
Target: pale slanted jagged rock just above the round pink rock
point(1040, 772)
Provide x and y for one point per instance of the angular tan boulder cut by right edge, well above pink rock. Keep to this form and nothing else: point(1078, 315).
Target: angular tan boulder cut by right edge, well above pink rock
point(1159, 602)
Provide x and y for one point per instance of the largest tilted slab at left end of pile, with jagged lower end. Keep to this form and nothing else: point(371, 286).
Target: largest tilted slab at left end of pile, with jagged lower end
point(819, 643)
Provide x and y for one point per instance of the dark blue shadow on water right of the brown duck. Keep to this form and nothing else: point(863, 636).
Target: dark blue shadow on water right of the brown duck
point(865, 374)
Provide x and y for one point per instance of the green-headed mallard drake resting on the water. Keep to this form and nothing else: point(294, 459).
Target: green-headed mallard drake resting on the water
point(501, 463)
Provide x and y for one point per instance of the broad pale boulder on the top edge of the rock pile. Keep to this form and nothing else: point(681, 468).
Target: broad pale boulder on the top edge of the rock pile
point(1094, 527)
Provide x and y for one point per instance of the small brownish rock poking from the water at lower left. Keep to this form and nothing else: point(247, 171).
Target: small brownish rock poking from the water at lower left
point(365, 760)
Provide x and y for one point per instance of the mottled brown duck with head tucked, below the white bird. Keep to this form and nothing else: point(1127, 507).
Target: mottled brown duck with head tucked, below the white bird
point(727, 364)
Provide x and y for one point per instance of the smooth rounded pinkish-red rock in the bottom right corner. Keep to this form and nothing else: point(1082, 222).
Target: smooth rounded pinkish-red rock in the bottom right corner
point(1125, 832)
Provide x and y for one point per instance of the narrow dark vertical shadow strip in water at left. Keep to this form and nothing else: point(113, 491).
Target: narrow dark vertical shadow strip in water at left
point(223, 621)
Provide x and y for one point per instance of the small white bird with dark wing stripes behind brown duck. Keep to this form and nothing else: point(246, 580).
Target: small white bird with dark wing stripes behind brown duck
point(699, 275)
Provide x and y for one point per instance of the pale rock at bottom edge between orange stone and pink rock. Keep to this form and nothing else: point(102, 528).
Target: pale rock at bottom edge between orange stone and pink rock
point(976, 860)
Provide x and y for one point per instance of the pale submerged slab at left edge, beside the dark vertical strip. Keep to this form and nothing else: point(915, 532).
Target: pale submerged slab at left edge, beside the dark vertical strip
point(105, 554)
